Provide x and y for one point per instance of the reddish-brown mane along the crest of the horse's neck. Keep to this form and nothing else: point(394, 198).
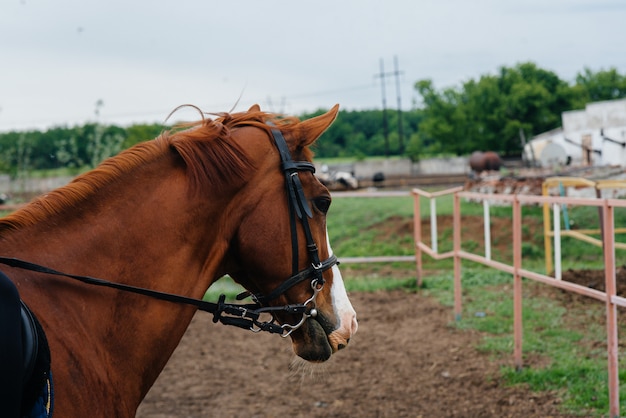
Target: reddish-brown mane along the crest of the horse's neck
point(212, 162)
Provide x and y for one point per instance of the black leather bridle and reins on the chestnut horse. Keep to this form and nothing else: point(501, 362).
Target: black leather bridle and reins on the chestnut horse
point(247, 316)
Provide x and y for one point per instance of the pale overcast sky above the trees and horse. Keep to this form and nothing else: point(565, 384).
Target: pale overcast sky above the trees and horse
point(69, 62)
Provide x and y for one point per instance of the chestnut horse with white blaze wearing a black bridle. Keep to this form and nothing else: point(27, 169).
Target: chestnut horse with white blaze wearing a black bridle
point(231, 194)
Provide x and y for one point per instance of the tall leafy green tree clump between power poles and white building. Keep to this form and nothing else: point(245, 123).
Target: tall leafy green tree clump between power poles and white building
point(488, 113)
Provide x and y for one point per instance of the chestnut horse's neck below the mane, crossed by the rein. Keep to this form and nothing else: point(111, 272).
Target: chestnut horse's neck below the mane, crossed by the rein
point(148, 234)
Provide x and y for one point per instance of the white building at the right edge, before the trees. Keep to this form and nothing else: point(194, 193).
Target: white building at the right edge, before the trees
point(593, 136)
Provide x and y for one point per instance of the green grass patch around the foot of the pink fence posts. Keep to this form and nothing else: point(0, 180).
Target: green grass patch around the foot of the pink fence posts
point(572, 358)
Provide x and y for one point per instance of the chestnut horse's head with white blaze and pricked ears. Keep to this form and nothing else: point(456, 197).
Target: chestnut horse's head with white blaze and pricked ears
point(272, 244)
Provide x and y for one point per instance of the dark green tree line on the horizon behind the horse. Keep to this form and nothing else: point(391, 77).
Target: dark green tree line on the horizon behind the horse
point(491, 112)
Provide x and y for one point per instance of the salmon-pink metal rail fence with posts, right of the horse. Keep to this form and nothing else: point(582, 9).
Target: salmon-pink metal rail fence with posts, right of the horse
point(609, 297)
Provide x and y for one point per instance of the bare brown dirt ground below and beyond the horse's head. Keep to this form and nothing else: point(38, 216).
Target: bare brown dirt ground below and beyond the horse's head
point(405, 361)
